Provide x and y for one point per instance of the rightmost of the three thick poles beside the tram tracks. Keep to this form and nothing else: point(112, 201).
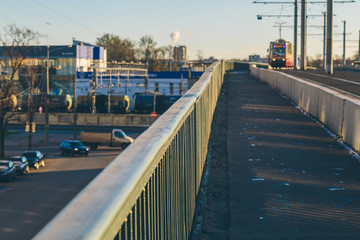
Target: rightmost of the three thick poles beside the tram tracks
point(329, 59)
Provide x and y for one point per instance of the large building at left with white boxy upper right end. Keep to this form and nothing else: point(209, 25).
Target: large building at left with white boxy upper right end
point(65, 62)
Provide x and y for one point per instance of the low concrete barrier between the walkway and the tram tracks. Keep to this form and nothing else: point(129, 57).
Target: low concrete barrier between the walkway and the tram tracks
point(337, 111)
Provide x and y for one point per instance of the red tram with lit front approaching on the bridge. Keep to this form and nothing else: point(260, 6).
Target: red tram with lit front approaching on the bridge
point(281, 54)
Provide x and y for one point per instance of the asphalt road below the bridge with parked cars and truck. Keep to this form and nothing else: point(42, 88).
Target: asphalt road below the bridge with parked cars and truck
point(32, 200)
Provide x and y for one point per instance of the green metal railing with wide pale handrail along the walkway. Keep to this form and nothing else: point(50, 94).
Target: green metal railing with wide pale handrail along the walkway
point(149, 191)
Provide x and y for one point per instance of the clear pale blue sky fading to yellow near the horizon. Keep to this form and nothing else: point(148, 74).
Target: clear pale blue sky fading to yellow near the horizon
point(223, 29)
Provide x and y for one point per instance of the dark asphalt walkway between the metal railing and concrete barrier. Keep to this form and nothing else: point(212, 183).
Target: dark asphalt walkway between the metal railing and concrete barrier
point(285, 177)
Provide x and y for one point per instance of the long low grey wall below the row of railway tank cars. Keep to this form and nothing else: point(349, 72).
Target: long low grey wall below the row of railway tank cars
point(86, 119)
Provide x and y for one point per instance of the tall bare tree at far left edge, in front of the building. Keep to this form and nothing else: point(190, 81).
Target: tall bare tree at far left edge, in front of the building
point(15, 42)
